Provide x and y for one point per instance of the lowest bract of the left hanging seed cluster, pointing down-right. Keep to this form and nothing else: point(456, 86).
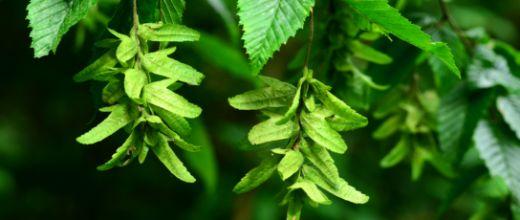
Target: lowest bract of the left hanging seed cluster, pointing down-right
point(167, 157)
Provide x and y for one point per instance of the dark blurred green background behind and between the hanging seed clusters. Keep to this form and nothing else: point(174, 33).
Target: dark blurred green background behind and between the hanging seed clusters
point(45, 174)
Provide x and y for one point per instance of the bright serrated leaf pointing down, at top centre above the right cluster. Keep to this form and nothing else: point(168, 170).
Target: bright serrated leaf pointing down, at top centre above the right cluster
point(268, 24)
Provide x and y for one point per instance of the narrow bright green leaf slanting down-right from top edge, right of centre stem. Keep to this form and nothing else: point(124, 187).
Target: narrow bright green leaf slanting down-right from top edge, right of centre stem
point(384, 15)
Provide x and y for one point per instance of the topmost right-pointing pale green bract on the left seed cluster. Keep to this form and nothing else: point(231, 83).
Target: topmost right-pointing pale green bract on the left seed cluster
point(167, 32)
